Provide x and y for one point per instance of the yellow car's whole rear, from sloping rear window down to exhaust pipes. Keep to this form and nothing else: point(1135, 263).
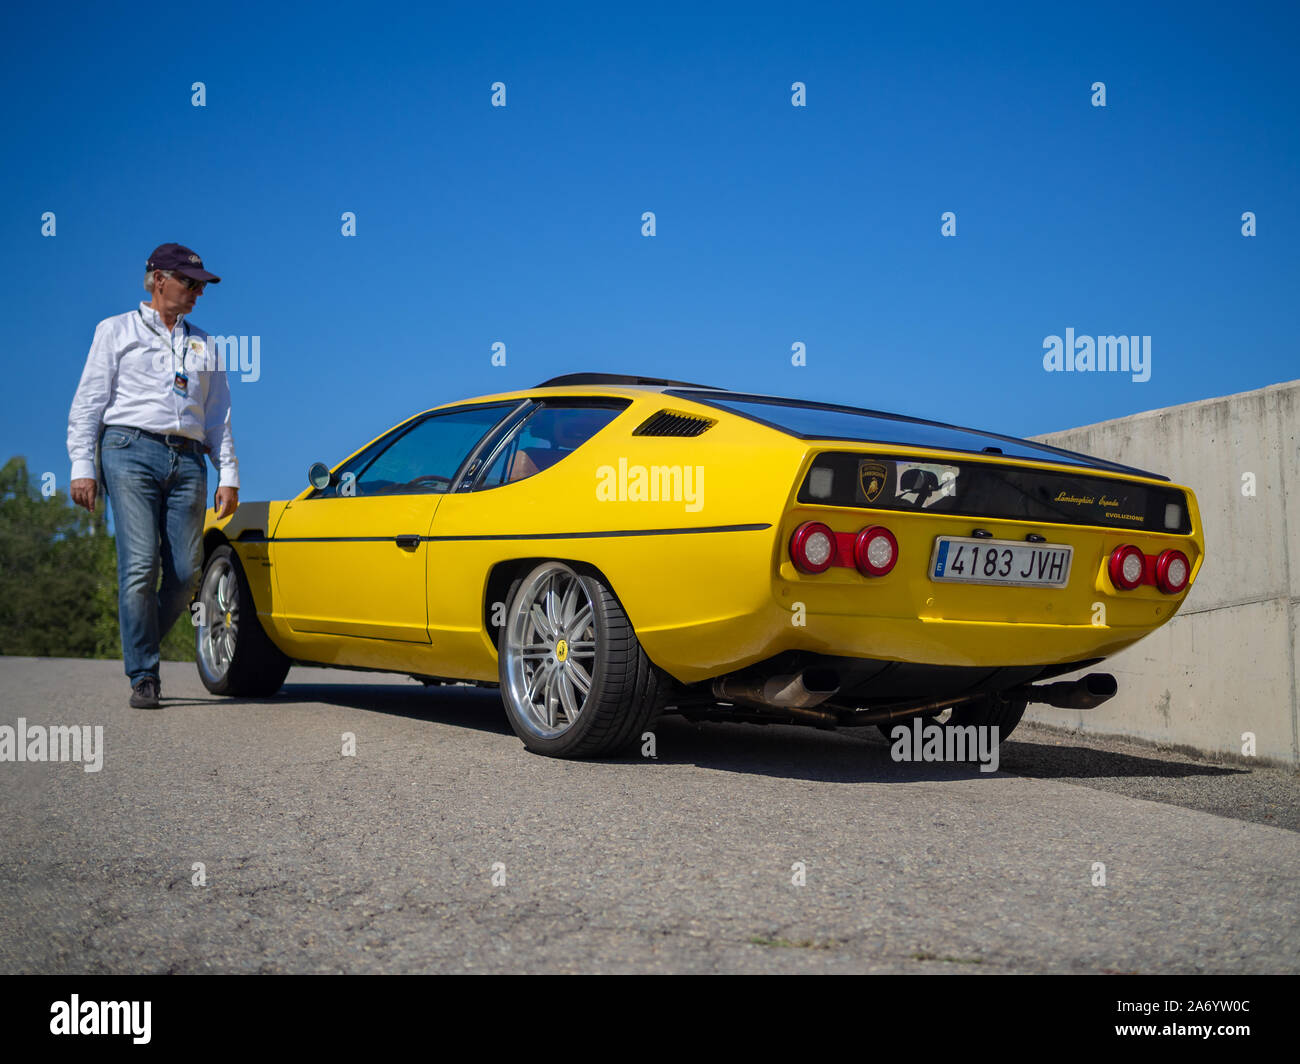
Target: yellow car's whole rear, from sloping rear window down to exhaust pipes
point(922, 564)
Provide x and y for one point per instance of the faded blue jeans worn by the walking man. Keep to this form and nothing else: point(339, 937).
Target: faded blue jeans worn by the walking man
point(159, 496)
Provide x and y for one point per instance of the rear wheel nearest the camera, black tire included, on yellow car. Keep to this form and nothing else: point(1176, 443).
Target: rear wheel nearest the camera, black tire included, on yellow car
point(574, 677)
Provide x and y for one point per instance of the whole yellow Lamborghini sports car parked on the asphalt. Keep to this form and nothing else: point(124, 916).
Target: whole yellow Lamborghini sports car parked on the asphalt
point(609, 548)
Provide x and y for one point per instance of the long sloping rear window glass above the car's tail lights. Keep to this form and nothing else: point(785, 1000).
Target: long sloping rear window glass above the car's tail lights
point(812, 421)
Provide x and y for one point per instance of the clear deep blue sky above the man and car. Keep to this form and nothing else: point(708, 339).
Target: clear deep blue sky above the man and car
point(774, 224)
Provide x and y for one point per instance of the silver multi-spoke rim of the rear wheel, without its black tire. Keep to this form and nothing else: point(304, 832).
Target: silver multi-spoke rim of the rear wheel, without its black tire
point(549, 648)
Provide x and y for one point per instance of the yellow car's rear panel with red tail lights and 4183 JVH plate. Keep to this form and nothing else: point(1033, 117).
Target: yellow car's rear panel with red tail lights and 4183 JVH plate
point(970, 561)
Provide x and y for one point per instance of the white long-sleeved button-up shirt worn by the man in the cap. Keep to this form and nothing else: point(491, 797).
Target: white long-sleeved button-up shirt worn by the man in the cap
point(128, 382)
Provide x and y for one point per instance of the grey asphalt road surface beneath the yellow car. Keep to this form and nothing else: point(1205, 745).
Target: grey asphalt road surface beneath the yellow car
point(384, 862)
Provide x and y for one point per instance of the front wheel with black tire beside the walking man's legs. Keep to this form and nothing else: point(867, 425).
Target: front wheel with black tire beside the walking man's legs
point(235, 655)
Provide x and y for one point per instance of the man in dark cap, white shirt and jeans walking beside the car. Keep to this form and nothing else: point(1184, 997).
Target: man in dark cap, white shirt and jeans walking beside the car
point(153, 400)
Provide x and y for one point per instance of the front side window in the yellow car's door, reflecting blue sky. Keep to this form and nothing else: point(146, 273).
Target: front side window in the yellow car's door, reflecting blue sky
point(424, 459)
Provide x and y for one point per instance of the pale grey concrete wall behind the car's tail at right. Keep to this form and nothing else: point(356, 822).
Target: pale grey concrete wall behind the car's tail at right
point(1227, 664)
